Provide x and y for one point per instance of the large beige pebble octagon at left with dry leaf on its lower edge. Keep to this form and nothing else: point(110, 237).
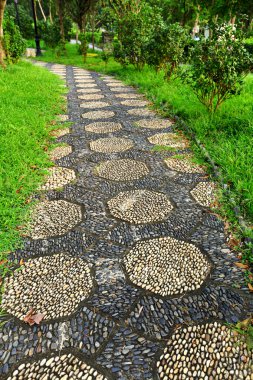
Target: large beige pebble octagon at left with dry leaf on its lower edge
point(51, 285)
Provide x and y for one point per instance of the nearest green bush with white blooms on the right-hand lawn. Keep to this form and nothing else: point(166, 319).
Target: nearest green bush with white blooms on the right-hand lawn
point(218, 66)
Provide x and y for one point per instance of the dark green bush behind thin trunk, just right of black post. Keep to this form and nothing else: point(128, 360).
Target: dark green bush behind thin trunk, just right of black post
point(51, 34)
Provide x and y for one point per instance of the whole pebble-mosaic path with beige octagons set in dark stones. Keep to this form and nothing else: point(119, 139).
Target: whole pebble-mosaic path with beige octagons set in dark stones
point(124, 260)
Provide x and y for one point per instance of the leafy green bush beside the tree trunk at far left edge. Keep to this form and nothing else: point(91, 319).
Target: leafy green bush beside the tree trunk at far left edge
point(14, 44)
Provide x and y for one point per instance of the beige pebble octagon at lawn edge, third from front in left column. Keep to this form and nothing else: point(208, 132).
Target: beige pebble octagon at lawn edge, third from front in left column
point(52, 218)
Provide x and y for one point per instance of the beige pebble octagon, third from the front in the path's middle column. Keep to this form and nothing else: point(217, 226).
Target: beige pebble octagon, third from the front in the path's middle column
point(140, 206)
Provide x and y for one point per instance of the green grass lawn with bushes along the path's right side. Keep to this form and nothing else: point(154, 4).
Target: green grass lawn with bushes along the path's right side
point(228, 135)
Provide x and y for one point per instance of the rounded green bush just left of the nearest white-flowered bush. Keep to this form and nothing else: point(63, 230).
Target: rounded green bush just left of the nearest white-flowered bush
point(166, 49)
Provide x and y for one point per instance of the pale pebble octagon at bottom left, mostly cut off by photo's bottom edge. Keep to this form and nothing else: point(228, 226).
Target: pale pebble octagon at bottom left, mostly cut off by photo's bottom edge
point(62, 367)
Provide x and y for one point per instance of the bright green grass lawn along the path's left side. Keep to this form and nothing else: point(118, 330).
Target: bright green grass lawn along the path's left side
point(30, 97)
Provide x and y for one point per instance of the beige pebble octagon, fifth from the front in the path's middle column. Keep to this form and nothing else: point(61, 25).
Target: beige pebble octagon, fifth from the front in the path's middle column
point(111, 145)
